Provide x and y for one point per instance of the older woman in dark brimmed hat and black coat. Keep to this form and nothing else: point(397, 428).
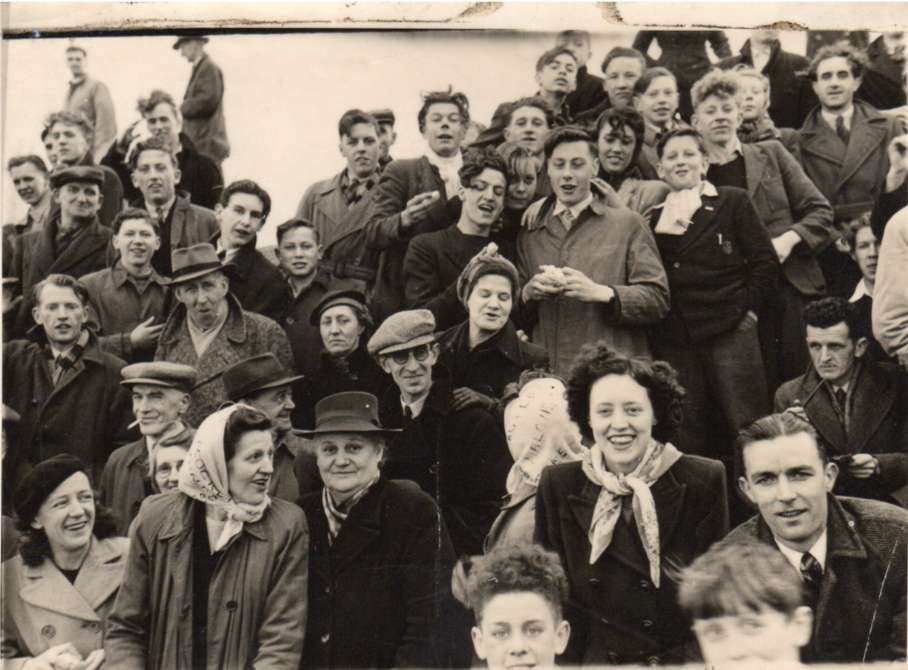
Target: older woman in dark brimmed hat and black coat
point(380, 559)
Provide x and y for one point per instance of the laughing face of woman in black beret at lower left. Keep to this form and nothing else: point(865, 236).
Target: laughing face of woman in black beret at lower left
point(67, 516)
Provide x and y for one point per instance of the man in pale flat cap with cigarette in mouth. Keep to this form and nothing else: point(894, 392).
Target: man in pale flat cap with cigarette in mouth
point(160, 398)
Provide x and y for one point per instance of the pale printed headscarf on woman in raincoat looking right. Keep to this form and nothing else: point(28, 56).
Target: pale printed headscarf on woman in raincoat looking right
point(203, 476)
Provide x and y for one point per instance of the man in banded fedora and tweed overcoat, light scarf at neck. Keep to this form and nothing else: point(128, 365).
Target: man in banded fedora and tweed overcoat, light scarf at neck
point(210, 331)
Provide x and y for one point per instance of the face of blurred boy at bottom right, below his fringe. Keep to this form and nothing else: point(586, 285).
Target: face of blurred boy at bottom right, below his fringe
point(767, 636)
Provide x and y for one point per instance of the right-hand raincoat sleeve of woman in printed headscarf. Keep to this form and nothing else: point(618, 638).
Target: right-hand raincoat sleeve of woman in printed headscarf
point(280, 637)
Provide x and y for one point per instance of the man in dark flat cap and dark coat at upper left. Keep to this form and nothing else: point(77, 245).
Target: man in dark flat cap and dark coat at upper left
point(73, 242)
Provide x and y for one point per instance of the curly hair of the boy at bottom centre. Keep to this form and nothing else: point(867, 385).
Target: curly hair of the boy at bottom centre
point(514, 568)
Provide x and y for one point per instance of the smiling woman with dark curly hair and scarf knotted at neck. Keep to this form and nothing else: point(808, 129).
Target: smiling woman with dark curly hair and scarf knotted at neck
point(630, 514)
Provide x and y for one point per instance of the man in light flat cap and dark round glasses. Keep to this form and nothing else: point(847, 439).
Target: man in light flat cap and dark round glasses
point(459, 457)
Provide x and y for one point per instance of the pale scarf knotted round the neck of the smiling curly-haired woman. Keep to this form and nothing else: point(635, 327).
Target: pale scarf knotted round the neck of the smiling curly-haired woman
point(657, 459)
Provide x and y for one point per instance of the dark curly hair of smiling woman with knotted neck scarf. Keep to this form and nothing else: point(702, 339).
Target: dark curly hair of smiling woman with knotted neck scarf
point(660, 380)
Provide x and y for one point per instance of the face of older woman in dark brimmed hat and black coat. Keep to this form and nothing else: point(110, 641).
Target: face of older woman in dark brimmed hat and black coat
point(347, 462)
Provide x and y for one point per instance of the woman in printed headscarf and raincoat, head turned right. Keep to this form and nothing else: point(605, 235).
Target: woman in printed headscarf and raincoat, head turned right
point(216, 576)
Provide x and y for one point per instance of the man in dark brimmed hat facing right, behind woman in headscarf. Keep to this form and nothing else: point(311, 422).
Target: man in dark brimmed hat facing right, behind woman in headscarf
point(263, 383)
